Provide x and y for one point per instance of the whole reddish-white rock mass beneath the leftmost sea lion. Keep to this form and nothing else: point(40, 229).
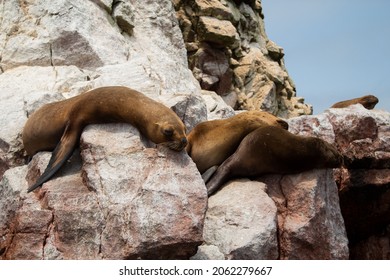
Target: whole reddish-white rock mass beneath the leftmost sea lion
point(132, 201)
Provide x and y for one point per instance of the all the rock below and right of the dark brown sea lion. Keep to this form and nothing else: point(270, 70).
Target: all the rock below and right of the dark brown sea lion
point(316, 218)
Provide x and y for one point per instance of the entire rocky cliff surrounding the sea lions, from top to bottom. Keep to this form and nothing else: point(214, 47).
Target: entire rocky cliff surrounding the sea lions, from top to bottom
point(120, 196)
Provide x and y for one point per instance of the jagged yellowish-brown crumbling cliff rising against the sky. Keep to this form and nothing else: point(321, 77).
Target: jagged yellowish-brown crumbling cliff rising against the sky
point(230, 53)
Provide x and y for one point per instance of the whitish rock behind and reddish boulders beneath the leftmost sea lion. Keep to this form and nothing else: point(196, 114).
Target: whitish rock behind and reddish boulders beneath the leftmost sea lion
point(51, 51)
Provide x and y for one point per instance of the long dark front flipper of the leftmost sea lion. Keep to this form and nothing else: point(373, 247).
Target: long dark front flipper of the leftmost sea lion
point(60, 155)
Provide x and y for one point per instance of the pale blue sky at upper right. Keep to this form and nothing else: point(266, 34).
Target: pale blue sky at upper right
point(335, 50)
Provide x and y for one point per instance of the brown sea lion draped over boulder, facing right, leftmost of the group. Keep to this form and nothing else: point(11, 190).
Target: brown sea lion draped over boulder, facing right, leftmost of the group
point(59, 125)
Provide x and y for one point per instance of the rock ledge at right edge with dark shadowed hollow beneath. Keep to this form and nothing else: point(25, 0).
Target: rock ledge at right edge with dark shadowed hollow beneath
point(363, 137)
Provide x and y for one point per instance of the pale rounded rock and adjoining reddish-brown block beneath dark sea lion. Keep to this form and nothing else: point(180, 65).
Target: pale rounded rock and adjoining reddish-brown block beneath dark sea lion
point(276, 217)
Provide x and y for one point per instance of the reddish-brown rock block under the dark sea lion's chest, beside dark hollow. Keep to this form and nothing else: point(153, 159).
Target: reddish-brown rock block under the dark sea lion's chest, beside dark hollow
point(308, 216)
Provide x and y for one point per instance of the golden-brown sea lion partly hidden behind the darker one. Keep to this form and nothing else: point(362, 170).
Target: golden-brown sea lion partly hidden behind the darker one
point(211, 142)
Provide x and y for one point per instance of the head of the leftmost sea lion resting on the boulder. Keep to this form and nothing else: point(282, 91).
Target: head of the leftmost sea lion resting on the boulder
point(171, 134)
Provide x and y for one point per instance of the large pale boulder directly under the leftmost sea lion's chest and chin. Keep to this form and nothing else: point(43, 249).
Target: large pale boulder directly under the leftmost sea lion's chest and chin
point(153, 201)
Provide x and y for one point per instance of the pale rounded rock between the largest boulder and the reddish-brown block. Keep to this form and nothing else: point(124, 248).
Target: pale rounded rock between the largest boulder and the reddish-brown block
point(242, 230)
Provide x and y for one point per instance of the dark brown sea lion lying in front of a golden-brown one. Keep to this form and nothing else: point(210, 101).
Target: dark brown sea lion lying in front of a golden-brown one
point(272, 150)
